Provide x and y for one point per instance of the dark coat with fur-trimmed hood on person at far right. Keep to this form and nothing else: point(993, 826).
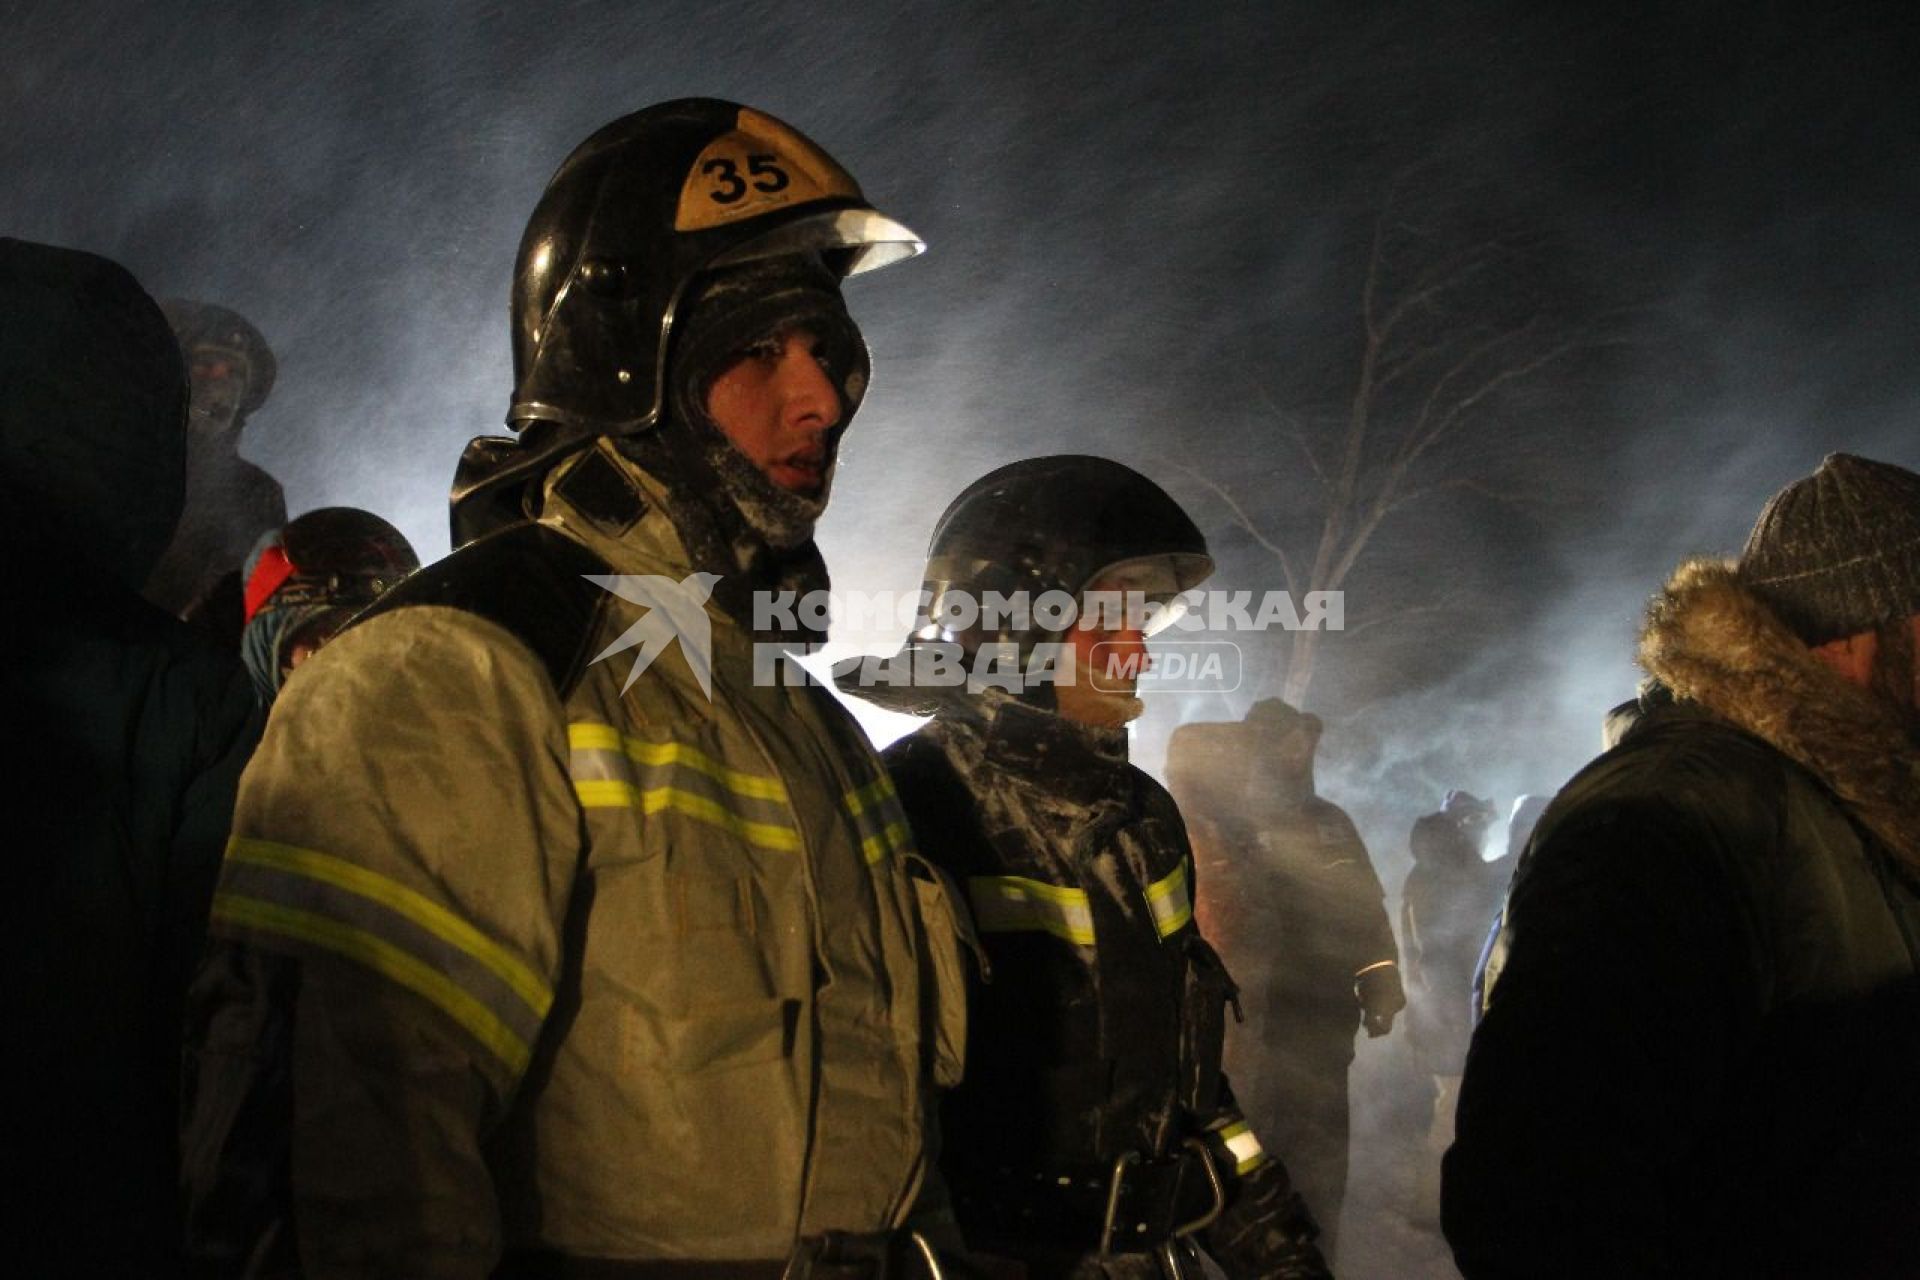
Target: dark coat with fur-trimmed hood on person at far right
point(1702, 1056)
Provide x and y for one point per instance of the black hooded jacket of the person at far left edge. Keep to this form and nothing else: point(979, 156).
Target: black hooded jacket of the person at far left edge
point(126, 740)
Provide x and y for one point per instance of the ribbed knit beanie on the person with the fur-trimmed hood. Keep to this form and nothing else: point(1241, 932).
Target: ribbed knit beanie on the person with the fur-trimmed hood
point(1838, 554)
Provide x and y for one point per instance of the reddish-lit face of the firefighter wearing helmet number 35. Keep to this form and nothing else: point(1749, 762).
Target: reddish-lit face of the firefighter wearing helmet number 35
point(777, 406)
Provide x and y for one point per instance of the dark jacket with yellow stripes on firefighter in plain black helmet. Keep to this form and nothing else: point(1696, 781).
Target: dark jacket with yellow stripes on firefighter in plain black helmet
point(1099, 1030)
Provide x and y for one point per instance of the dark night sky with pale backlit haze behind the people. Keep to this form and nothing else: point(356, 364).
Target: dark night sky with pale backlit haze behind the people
point(1147, 233)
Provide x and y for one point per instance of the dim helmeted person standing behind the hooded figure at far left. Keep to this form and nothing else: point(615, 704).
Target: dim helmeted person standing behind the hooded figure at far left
point(229, 502)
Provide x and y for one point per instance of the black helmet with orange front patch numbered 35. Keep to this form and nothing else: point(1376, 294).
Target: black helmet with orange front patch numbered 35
point(627, 224)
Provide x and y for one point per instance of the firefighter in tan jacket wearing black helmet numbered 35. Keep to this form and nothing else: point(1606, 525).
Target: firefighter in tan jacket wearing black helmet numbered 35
point(556, 966)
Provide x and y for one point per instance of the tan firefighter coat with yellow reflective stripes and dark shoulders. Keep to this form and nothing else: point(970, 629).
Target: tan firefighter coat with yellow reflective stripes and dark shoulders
point(579, 970)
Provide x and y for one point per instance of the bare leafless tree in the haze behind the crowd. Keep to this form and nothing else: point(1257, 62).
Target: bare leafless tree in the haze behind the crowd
point(1454, 327)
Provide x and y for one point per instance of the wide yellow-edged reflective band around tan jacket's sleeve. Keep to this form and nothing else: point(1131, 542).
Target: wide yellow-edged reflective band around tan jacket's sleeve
point(320, 901)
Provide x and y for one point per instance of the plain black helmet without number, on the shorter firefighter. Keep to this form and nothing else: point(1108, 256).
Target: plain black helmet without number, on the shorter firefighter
point(1049, 525)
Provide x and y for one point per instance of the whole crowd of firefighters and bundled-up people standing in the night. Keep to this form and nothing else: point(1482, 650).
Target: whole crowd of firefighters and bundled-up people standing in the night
point(368, 922)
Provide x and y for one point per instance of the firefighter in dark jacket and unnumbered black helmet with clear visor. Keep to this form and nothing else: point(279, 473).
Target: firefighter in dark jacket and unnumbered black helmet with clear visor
point(1093, 1133)
